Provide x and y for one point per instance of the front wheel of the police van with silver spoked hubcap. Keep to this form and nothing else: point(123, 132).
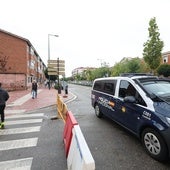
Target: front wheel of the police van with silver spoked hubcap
point(154, 144)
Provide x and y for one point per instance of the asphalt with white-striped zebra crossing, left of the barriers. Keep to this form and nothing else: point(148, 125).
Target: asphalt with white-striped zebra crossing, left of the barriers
point(33, 141)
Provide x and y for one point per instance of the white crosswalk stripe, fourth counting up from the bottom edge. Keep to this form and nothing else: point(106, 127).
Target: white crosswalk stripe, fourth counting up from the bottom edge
point(15, 122)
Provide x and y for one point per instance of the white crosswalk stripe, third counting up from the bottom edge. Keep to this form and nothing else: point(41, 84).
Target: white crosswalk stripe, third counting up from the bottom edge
point(19, 130)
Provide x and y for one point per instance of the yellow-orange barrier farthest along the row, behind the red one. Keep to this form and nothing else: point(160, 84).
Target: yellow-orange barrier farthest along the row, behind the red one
point(61, 108)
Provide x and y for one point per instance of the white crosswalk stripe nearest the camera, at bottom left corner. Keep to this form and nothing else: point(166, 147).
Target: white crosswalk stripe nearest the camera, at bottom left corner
point(18, 164)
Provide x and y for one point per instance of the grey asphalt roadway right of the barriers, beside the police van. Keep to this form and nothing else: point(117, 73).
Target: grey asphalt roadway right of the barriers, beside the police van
point(112, 147)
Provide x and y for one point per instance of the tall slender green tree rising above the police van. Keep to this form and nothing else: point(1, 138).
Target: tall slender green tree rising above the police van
point(153, 47)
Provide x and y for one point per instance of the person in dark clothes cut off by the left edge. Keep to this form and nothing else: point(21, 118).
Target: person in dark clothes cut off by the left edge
point(4, 96)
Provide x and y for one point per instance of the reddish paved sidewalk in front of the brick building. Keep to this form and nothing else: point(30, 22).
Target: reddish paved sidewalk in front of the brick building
point(21, 101)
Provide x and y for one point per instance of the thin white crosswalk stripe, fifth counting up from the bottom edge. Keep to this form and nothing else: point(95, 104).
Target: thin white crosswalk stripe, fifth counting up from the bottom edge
point(8, 116)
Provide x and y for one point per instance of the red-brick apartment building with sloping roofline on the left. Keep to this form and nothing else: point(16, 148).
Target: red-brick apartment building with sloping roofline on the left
point(19, 62)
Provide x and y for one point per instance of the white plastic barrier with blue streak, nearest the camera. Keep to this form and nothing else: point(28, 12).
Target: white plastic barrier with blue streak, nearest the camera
point(79, 156)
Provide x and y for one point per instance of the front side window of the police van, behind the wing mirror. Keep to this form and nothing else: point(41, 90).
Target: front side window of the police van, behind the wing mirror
point(127, 89)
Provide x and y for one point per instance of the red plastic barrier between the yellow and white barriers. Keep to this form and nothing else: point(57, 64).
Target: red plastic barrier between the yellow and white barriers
point(67, 134)
